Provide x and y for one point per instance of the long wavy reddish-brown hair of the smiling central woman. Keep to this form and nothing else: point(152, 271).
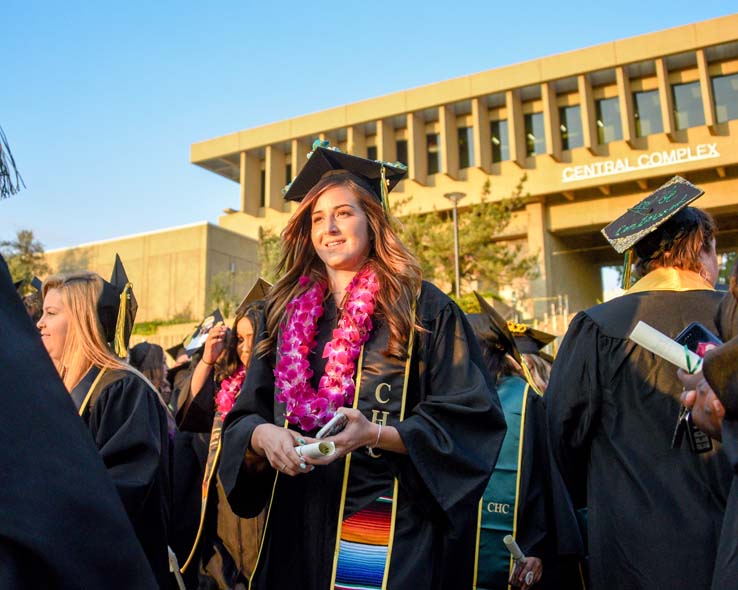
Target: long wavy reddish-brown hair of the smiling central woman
point(397, 269)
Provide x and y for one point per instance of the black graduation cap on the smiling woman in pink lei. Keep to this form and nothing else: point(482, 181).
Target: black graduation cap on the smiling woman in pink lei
point(376, 176)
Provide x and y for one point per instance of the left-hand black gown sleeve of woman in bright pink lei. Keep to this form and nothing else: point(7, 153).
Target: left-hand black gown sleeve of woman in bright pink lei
point(248, 487)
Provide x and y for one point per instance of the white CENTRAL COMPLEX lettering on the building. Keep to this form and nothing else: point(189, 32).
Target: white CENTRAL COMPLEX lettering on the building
point(703, 151)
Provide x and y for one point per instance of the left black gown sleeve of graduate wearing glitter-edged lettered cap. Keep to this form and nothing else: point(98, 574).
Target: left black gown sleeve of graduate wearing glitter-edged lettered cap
point(573, 403)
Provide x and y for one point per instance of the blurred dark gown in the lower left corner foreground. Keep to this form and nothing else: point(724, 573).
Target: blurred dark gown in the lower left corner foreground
point(62, 524)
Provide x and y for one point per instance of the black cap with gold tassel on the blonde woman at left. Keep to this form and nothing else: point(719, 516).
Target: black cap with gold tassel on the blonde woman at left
point(116, 308)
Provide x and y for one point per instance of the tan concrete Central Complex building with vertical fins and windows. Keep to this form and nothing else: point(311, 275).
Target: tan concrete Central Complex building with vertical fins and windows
point(592, 131)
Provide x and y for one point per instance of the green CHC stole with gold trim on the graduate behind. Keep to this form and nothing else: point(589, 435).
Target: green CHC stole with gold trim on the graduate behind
point(498, 509)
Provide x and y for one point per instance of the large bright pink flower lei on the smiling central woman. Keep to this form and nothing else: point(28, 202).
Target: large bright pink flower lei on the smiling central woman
point(306, 407)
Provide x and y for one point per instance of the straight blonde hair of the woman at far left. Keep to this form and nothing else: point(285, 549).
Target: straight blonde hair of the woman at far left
point(85, 344)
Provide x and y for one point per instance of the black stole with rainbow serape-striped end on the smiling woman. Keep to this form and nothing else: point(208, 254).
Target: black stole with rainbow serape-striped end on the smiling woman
point(363, 551)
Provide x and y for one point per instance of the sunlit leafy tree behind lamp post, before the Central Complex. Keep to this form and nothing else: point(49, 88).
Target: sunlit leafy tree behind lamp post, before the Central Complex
point(495, 263)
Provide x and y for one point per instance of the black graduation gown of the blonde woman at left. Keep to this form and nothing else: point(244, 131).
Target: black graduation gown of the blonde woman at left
point(128, 424)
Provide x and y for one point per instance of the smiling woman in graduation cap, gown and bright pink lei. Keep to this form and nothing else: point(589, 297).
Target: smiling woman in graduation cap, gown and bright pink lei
point(351, 327)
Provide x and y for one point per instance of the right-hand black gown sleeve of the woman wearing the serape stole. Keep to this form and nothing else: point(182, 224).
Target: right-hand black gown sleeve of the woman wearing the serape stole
point(458, 422)
